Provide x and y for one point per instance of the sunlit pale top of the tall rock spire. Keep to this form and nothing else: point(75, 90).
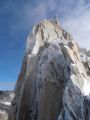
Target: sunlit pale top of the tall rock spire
point(46, 32)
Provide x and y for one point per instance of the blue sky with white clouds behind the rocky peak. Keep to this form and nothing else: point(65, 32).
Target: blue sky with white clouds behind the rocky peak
point(17, 18)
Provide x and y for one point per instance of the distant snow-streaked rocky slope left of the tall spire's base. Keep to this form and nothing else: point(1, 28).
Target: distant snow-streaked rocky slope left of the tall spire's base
point(5, 101)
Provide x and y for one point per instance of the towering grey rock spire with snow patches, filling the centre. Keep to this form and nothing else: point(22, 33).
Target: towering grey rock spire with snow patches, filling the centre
point(51, 82)
